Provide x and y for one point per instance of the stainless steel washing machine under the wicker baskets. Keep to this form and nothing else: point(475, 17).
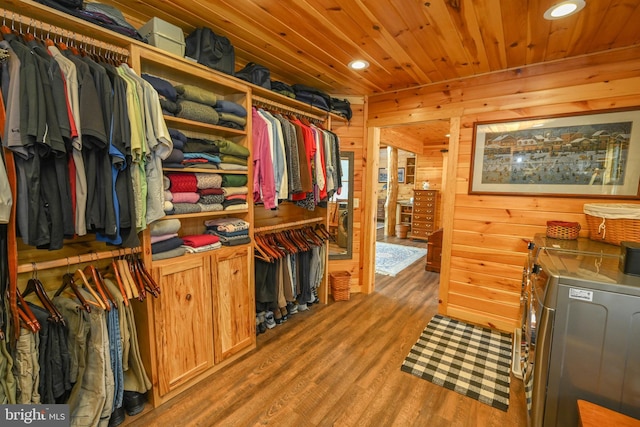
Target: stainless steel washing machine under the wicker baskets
point(581, 331)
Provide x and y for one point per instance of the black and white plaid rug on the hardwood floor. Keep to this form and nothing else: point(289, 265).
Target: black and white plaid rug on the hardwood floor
point(468, 359)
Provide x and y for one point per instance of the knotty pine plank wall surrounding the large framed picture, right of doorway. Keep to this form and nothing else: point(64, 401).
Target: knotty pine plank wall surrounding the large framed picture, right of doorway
point(485, 242)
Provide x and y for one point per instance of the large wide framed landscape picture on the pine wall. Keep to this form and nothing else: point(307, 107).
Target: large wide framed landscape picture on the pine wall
point(585, 155)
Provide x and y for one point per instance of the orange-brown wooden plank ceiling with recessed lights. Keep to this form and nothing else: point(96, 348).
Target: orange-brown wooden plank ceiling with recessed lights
point(407, 42)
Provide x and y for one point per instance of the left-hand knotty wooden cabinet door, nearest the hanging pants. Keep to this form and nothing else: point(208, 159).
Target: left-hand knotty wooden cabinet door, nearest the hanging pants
point(183, 321)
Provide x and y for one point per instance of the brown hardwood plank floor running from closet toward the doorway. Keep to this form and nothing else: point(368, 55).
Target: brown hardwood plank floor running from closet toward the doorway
point(338, 365)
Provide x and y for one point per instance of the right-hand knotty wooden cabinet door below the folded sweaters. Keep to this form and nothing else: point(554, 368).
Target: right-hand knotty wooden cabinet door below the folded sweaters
point(234, 301)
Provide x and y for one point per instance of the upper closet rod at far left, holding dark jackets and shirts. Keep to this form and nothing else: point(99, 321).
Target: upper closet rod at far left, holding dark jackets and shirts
point(43, 27)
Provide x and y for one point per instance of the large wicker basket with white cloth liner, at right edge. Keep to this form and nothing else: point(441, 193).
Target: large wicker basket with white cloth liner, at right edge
point(613, 222)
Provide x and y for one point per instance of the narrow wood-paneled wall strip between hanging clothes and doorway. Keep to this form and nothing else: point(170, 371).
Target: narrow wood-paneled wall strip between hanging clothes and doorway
point(352, 137)
